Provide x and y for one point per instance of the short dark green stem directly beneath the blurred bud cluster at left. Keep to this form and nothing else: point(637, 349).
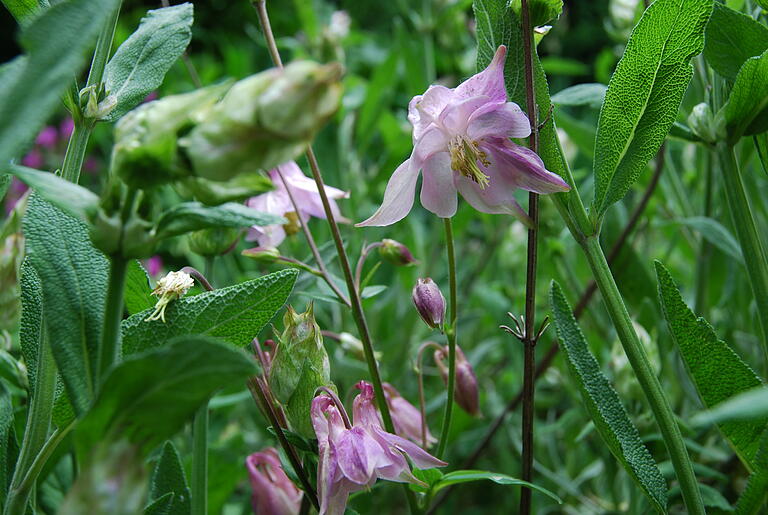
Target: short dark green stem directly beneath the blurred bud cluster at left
point(109, 352)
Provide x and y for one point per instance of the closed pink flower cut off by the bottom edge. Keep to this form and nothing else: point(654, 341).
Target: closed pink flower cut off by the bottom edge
point(273, 492)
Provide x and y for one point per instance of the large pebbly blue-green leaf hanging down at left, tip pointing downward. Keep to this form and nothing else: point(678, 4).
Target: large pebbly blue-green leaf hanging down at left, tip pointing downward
point(73, 276)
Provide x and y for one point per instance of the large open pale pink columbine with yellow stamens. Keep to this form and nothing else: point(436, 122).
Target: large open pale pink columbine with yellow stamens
point(461, 144)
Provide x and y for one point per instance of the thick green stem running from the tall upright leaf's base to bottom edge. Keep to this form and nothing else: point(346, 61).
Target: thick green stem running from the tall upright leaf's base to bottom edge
point(645, 374)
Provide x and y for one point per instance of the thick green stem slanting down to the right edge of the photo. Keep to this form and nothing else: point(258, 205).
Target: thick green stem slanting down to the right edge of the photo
point(746, 230)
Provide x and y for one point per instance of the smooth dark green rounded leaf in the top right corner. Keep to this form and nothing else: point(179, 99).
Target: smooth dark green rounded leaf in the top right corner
point(732, 38)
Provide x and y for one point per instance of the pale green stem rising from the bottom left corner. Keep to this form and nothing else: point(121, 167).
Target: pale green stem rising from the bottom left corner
point(36, 432)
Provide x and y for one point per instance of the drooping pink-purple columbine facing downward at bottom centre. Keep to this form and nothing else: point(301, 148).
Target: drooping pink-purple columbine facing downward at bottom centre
point(353, 457)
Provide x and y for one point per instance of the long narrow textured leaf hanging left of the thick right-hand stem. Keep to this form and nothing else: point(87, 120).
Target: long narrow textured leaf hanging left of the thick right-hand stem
point(605, 407)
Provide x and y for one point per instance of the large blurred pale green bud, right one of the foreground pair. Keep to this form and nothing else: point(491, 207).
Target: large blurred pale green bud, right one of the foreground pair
point(264, 120)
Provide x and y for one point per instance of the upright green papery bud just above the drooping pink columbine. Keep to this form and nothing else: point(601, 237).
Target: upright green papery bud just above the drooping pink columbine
point(299, 367)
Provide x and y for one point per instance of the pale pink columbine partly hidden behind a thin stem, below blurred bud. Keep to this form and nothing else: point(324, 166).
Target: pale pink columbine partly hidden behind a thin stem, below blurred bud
point(278, 202)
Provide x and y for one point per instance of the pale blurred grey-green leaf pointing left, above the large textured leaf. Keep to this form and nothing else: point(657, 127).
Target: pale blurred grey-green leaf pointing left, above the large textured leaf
point(73, 199)
